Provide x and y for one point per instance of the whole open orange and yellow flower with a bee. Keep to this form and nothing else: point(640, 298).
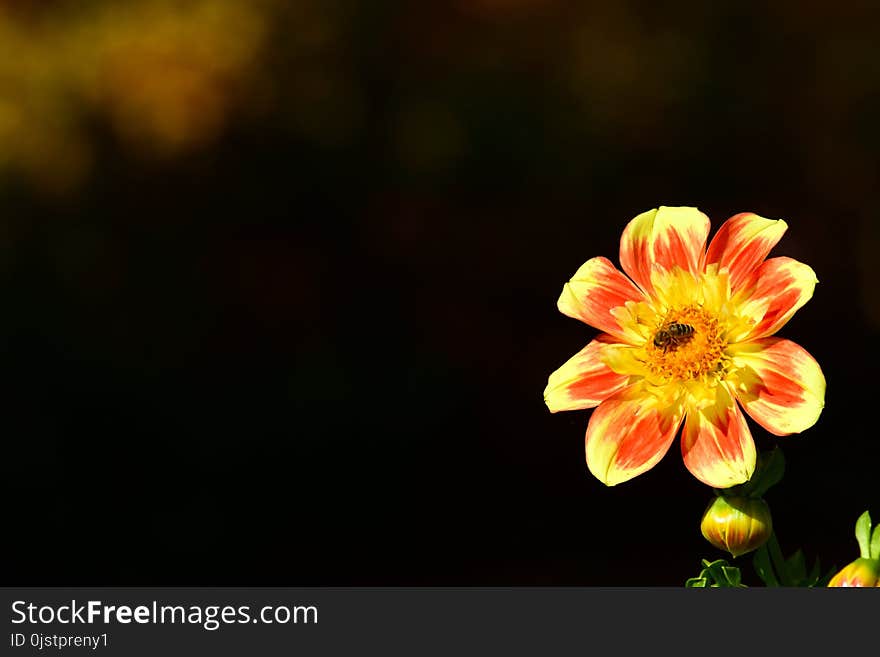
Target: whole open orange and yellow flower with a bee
point(686, 340)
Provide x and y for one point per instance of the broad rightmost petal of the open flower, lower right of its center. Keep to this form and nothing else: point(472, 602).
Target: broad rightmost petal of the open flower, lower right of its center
point(779, 384)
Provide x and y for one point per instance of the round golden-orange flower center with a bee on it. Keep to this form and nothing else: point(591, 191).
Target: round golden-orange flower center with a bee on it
point(687, 344)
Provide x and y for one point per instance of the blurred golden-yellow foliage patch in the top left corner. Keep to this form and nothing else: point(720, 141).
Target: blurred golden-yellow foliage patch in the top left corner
point(162, 76)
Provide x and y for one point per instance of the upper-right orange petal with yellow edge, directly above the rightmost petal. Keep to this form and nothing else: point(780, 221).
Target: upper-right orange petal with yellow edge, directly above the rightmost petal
point(771, 295)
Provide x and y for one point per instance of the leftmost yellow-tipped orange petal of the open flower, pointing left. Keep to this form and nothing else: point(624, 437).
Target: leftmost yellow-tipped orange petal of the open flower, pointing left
point(584, 381)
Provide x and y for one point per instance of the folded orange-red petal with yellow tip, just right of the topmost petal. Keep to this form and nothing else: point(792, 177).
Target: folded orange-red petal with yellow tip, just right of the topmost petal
point(742, 243)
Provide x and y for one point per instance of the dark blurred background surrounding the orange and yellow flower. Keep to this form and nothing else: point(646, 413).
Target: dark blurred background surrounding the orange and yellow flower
point(300, 336)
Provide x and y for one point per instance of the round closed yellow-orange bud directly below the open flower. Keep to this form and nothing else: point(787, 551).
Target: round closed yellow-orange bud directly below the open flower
point(737, 524)
